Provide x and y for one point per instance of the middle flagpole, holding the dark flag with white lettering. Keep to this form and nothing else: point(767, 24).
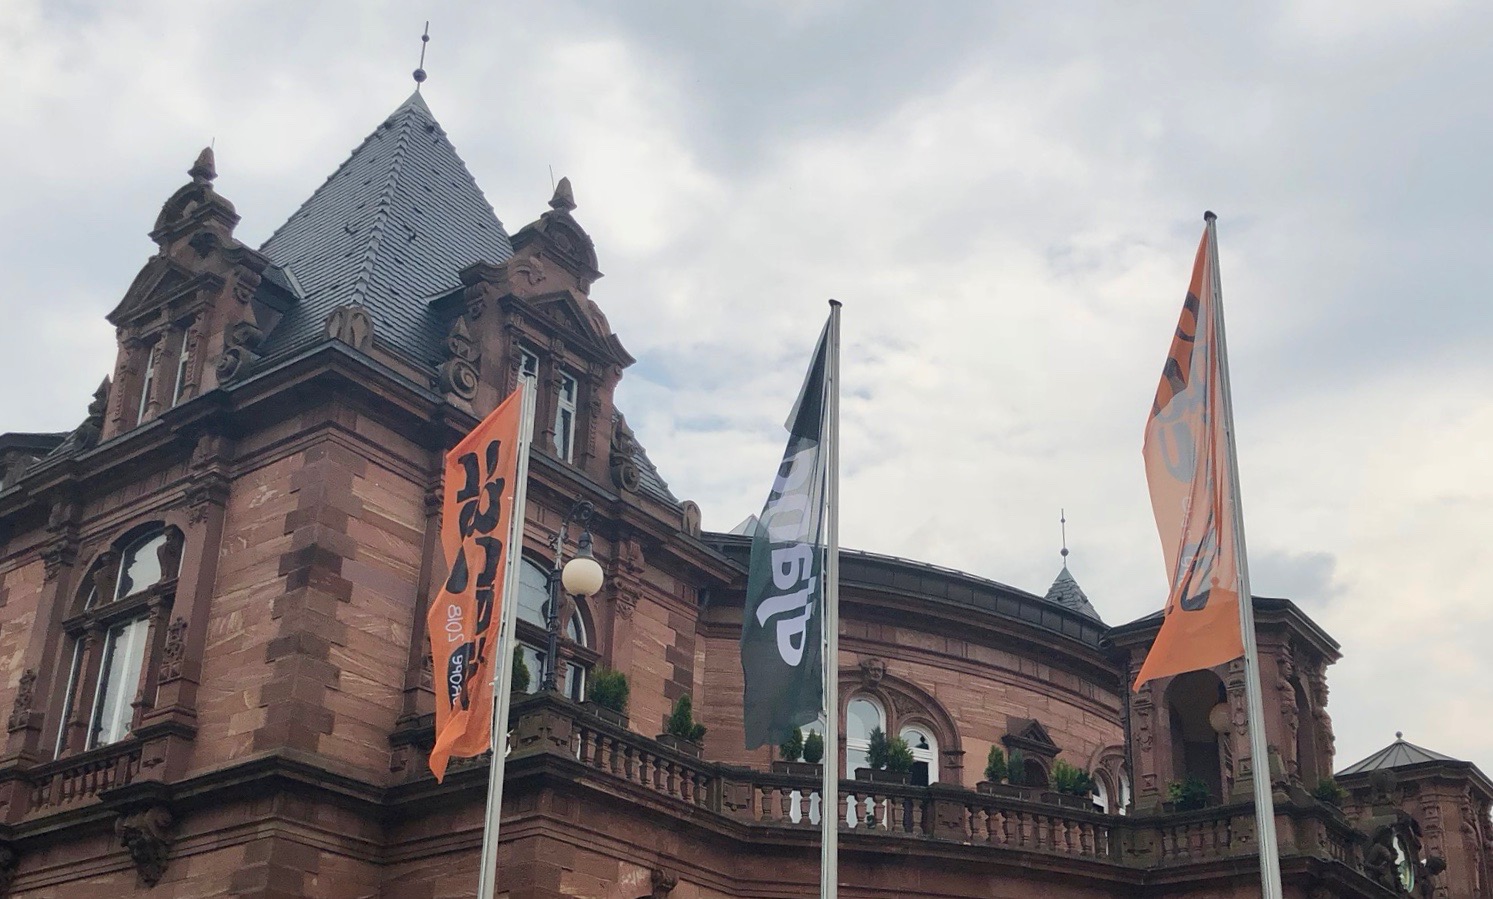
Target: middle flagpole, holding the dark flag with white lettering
point(829, 791)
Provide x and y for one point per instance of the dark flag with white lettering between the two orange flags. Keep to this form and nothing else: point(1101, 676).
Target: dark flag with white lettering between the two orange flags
point(782, 629)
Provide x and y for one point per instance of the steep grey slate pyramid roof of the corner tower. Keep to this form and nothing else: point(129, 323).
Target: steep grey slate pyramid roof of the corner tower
point(390, 229)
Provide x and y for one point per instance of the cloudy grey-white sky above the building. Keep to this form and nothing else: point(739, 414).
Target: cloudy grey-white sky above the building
point(1006, 198)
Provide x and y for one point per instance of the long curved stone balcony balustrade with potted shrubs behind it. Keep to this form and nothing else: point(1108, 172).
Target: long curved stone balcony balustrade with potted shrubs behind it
point(943, 813)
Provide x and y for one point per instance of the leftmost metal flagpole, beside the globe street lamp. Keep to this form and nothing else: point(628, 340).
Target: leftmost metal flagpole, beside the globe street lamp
point(504, 677)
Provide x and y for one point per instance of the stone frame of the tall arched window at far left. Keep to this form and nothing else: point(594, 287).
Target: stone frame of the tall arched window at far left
point(87, 628)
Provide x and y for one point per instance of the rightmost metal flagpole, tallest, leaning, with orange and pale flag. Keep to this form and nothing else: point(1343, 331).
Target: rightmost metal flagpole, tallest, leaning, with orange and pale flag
point(1255, 703)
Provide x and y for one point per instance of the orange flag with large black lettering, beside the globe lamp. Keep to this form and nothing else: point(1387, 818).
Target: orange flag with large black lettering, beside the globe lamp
point(476, 517)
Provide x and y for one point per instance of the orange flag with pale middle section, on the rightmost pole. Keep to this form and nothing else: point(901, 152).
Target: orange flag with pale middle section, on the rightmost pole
point(1192, 491)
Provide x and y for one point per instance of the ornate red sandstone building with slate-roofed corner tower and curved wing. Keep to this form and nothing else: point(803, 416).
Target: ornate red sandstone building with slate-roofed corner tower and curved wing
point(213, 643)
